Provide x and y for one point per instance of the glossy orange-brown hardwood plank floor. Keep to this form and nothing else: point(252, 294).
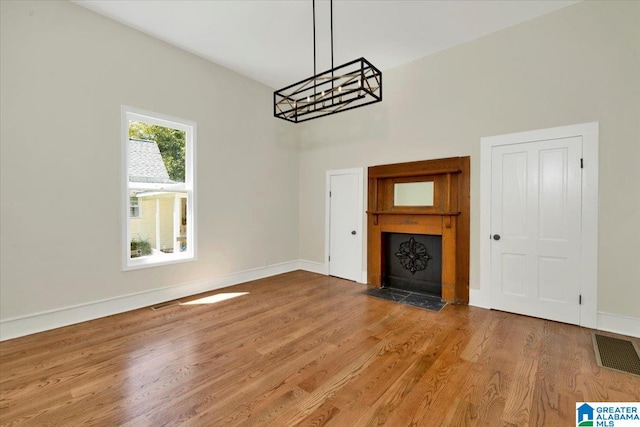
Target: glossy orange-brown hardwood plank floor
point(308, 350)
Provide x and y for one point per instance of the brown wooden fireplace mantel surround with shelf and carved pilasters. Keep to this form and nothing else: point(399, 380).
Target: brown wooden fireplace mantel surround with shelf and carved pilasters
point(448, 217)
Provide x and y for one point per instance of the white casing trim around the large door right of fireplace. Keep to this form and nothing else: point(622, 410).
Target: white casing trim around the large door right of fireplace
point(589, 254)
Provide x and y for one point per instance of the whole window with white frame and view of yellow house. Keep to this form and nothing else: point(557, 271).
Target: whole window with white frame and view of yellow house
point(158, 190)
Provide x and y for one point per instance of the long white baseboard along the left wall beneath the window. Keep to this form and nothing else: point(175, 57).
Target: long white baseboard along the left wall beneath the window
point(52, 319)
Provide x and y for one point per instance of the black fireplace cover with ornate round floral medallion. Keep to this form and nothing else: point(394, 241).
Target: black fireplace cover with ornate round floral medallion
point(413, 262)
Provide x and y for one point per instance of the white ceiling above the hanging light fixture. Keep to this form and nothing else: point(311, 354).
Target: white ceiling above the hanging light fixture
point(271, 41)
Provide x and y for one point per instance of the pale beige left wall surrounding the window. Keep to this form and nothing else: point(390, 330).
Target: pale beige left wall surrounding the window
point(65, 73)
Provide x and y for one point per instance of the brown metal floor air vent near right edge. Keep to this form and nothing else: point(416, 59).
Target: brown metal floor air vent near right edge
point(617, 354)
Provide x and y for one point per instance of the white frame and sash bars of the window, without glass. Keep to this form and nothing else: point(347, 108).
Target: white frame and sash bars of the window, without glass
point(189, 187)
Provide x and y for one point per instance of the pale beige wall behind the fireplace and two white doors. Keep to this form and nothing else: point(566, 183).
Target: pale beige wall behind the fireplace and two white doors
point(580, 64)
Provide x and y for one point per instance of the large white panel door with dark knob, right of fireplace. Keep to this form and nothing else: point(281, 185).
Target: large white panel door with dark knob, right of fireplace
point(536, 228)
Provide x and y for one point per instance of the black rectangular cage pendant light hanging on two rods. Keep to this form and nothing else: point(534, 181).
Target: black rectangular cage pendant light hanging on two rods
point(345, 87)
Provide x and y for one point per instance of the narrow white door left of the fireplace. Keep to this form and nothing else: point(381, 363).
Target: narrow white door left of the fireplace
point(344, 226)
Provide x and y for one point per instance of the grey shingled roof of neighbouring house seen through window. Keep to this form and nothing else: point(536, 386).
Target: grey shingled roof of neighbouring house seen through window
point(145, 163)
